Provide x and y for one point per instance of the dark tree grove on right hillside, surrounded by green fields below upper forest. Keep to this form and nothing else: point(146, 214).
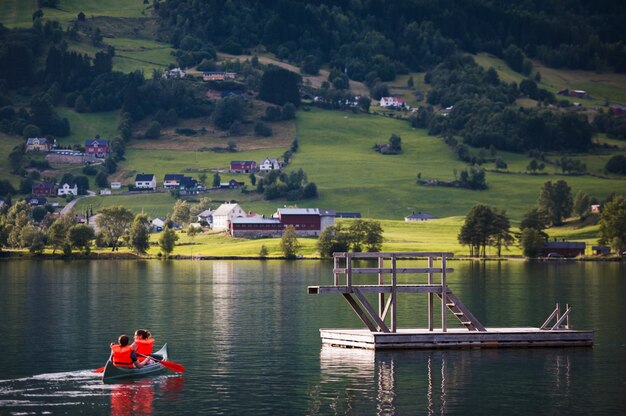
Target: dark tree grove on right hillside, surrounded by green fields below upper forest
point(484, 114)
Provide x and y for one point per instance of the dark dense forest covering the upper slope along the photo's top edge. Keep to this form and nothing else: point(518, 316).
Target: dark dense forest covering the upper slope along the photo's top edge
point(378, 38)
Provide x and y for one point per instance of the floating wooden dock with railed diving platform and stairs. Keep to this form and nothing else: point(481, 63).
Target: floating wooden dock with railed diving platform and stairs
point(381, 330)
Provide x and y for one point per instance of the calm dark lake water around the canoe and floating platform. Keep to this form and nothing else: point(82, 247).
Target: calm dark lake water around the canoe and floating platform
point(247, 333)
